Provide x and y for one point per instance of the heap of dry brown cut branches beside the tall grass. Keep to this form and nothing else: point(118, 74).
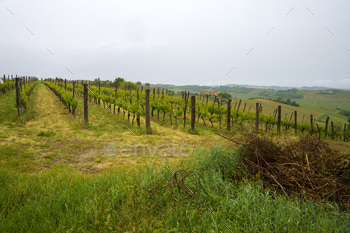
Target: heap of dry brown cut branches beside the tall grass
point(307, 167)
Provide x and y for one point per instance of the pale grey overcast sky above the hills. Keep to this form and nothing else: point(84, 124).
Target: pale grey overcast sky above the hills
point(195, 42)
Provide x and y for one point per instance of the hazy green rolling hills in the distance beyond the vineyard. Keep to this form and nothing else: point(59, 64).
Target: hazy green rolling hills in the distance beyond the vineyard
point(313, 100)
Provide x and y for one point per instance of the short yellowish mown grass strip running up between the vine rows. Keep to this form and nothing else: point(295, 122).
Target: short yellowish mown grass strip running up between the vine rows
point(48, 135)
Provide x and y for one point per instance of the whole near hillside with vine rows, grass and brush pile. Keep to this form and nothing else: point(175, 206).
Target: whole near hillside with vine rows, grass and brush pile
point(77, 156)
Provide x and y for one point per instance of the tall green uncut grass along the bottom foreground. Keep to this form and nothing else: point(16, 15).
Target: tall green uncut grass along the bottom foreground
point(138, 199)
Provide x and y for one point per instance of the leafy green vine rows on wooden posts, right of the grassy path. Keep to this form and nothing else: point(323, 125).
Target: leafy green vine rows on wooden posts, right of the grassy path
point(210, 112)
